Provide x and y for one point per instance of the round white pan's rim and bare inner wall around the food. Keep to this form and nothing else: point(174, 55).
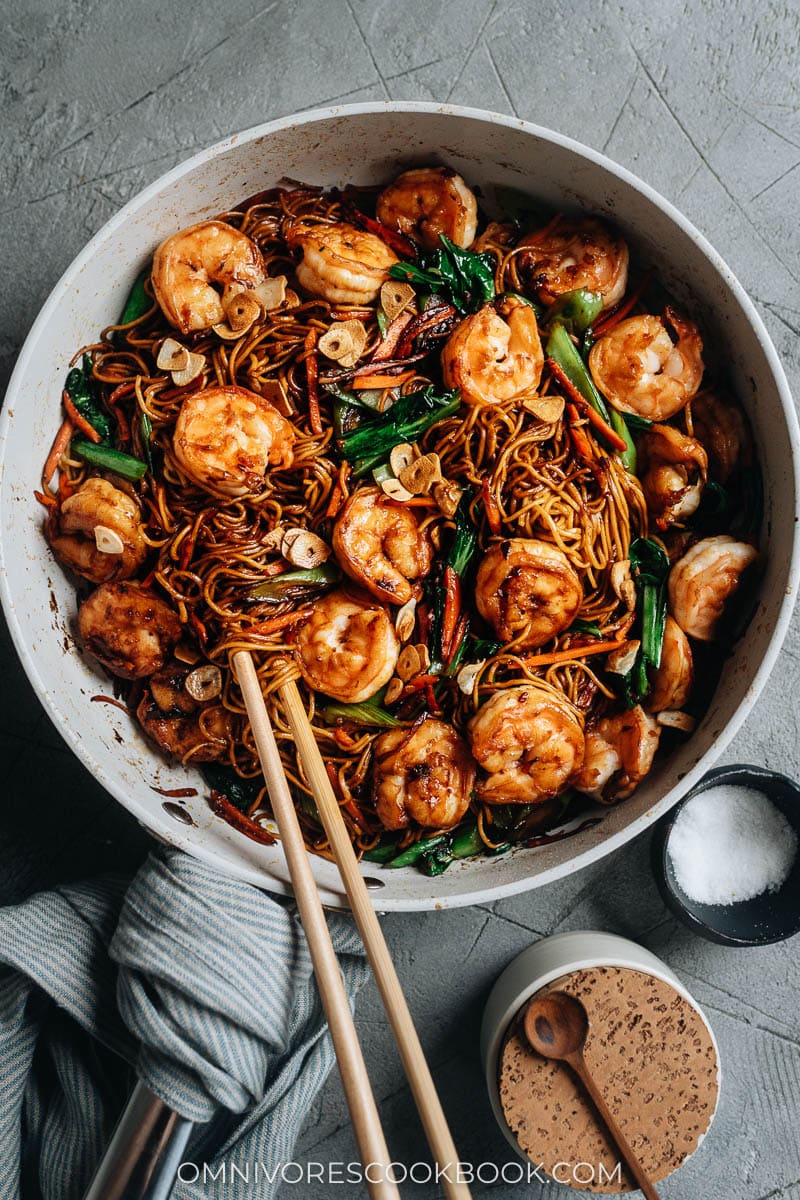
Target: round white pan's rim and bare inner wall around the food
point(363, 145)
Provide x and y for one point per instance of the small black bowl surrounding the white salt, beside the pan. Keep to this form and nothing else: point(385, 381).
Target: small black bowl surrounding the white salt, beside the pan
point(771, 917)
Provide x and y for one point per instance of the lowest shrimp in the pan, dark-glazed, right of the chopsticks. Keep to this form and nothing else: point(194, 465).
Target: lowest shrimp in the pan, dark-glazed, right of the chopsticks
point(425, 775)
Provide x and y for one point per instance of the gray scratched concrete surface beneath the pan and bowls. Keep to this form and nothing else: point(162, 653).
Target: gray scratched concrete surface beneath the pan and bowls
point(99, 99)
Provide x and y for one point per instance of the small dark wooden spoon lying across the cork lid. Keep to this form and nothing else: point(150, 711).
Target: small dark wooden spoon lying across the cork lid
point(556, 1027)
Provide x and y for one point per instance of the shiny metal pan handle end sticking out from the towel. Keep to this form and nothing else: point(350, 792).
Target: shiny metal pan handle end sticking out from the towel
point(145, 1154)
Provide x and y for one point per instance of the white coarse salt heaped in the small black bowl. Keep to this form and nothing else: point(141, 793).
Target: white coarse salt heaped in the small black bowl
point(731, 844)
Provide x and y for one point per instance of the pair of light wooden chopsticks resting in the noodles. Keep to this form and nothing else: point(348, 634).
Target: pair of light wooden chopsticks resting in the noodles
point(363, 1107)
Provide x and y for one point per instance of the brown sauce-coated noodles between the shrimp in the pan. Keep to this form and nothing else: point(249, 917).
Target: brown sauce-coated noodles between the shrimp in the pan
point(209, 553)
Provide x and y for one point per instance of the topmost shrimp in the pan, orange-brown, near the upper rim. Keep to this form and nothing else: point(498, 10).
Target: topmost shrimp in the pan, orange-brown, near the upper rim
point(429, 202)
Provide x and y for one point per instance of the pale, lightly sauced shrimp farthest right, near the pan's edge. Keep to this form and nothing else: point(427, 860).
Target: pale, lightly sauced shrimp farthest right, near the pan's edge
point(703, 581)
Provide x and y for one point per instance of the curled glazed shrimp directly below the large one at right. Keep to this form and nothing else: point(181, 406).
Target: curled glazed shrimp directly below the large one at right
point(673, 471)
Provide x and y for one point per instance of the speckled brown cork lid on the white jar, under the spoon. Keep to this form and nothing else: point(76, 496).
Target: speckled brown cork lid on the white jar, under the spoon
point(654, 1059)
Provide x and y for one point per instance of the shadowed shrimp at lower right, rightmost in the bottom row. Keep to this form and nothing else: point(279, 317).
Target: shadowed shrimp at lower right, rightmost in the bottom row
point(619, 754)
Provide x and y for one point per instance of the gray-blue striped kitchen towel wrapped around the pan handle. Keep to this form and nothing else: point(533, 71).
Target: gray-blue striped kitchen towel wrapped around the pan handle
point(201, 983)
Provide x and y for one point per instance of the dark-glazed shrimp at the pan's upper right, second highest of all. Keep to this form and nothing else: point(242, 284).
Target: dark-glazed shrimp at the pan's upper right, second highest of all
point(581, 254)
